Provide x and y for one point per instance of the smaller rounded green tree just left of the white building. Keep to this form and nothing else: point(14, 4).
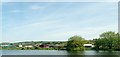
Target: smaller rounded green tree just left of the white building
point(75, 43)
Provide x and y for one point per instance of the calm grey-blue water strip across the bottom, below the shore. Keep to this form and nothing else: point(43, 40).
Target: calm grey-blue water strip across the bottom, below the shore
point(57, 52)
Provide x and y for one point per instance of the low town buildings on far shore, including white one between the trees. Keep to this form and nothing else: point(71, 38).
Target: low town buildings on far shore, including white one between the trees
point(38, 45)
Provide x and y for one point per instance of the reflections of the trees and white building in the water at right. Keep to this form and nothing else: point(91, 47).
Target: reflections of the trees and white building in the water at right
point(93, 53)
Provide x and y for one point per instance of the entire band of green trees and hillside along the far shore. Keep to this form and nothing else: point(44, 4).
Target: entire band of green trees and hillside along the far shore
point(107, 41)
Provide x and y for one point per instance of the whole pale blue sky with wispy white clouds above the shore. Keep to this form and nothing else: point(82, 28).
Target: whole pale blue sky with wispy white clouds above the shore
point(57, 21)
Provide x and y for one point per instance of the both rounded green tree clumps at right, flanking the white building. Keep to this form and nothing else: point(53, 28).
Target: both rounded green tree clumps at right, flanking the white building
point(107, 41)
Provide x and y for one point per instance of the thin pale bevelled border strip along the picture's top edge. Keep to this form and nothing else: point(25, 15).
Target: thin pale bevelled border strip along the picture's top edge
point(60, 0)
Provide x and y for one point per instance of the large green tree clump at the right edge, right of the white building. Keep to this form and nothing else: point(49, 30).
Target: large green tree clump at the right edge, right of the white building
point(108, 41)
